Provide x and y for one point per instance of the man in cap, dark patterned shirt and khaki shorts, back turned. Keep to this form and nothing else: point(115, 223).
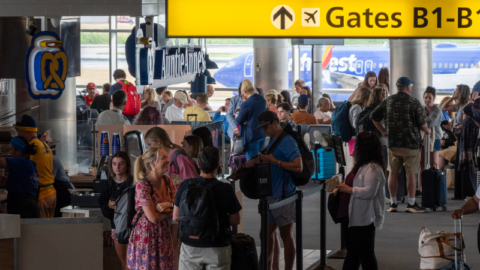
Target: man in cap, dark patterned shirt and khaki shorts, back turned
point(404, 119)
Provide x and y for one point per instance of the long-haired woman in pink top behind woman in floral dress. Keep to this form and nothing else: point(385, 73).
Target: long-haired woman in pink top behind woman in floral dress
point(158, 137)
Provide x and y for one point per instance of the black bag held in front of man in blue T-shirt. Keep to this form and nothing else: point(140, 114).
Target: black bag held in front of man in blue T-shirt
point(256, 182)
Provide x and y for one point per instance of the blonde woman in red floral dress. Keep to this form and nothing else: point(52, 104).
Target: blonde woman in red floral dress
point(150, 245)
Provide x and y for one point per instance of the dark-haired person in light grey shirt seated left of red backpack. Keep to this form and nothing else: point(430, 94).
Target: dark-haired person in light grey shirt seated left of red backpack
point(115, 115)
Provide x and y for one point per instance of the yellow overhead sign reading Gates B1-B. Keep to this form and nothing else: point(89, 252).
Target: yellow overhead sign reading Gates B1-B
point(329, 19)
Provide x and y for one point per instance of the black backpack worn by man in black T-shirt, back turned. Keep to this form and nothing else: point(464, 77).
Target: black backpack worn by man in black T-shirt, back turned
point(198, 223)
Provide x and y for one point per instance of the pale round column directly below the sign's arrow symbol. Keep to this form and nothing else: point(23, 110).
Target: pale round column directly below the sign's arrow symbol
point(271, 64)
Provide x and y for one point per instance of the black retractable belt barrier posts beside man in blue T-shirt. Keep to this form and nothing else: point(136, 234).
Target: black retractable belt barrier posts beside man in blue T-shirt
point(263, 209)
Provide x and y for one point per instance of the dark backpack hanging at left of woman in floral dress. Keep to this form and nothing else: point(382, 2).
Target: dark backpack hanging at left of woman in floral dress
point(125, 211)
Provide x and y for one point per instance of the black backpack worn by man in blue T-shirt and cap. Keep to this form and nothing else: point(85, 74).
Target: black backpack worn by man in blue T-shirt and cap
point(299, 179)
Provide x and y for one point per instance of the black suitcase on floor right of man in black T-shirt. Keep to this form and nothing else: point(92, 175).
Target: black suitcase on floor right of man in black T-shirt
point(244, 253)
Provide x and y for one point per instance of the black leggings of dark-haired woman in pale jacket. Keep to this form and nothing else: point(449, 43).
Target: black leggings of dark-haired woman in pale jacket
point(361, 248)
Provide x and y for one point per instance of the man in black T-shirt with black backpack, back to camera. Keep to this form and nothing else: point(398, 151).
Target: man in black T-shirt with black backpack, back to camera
point(205, 208)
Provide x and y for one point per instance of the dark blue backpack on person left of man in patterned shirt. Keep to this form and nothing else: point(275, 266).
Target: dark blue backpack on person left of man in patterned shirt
point(341, 124)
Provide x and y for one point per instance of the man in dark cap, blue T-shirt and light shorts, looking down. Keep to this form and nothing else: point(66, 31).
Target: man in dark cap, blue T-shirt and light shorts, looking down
point(284, 158)
